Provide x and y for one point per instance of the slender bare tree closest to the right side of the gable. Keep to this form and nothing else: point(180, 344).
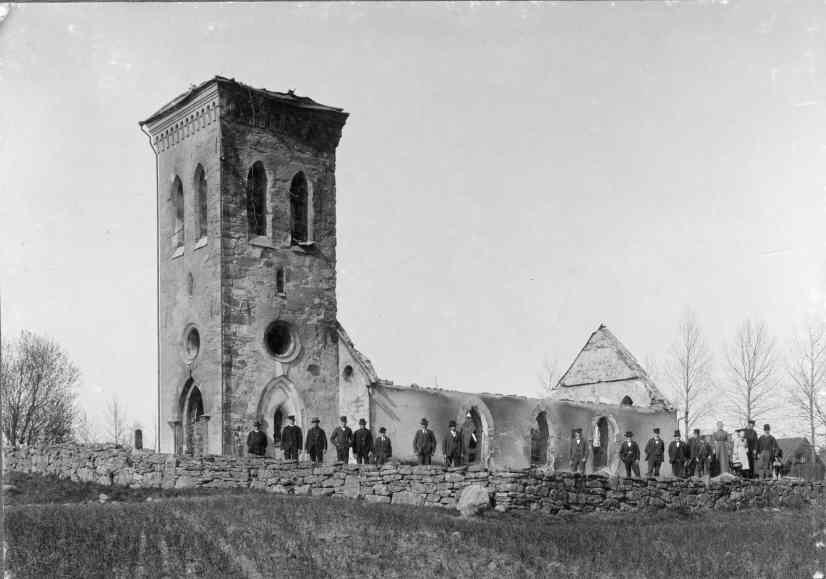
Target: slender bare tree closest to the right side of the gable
point(688, 372)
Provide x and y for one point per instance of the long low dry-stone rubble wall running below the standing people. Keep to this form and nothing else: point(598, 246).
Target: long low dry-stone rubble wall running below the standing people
point(434, 486)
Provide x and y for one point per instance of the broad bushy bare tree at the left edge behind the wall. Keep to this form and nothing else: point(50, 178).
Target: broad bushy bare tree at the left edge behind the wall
point(38, 384)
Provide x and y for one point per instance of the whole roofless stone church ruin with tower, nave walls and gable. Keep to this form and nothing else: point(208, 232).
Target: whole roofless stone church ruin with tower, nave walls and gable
point(247, 324)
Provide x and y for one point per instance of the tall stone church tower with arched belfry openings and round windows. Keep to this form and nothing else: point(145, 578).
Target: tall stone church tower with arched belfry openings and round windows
point(246, 264)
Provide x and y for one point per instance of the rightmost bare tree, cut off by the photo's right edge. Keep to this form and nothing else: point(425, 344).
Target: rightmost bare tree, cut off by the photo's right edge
point(807, 370)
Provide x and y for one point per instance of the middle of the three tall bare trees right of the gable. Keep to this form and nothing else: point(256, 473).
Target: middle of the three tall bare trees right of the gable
point(751, 363)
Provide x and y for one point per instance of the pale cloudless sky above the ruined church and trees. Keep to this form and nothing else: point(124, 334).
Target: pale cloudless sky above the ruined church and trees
point(510, 176)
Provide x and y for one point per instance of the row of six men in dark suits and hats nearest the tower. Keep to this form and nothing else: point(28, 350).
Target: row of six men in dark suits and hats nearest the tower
point(365, 448)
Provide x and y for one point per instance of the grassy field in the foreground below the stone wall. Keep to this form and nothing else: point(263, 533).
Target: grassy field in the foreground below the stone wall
point(51, 531)
